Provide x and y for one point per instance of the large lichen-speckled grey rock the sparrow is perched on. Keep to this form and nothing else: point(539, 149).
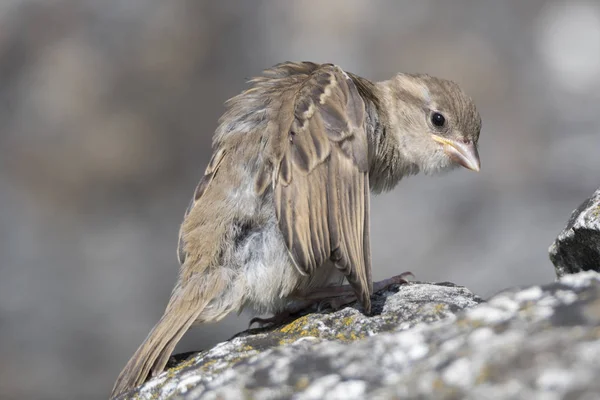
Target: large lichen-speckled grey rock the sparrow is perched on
point(429, 341)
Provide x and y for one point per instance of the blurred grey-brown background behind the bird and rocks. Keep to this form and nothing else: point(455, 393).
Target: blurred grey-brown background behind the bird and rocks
point(106, 117)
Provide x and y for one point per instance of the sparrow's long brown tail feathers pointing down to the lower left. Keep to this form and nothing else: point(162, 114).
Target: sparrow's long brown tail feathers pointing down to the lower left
point(152, 356)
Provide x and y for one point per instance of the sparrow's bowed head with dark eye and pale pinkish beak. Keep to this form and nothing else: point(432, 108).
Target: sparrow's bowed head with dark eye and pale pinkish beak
point(435, 124)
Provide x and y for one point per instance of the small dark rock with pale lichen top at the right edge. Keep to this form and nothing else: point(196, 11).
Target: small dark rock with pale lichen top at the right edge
point(577, 247)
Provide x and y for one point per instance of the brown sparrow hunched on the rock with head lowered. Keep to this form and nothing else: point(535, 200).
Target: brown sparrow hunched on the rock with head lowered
point(281, 215)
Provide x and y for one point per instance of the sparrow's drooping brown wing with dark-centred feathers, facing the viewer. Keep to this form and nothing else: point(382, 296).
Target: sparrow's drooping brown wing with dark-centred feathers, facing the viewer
point(321, 180)
